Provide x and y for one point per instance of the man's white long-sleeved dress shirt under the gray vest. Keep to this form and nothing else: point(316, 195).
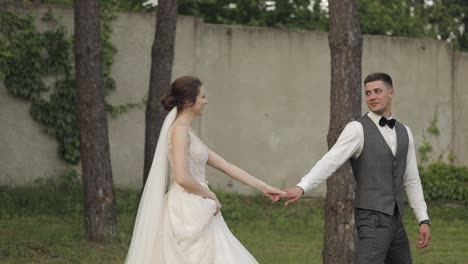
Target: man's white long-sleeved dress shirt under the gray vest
point(350, 145)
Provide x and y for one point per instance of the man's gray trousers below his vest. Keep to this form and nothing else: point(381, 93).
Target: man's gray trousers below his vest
point(382, 238)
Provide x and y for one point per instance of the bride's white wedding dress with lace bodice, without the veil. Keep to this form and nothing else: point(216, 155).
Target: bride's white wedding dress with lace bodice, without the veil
point(191, 231)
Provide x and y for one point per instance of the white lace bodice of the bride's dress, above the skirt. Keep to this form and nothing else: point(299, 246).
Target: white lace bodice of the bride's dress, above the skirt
point(197, 156)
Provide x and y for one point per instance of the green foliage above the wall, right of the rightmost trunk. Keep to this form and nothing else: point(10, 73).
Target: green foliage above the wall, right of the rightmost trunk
point(444, 19)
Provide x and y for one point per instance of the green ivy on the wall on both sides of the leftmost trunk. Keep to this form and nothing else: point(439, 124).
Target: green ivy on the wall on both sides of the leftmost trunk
point(29, 57)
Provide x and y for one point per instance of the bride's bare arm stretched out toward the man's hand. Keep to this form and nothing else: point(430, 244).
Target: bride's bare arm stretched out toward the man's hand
point(216, 161)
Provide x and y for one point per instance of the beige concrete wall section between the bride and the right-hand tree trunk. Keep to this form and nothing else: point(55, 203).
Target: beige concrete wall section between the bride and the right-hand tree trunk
point(267, 100)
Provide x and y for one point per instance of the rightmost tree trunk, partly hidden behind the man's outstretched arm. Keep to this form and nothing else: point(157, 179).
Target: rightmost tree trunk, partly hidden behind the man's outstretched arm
point(345, 42)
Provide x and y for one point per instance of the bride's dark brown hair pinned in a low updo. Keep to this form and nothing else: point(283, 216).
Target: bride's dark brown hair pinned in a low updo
point(184, 91)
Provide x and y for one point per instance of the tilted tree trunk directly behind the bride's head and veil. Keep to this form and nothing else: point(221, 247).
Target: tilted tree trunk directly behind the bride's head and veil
point(162, 56)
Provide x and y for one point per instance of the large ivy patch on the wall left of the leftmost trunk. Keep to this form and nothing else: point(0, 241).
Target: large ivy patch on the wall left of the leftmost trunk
point(33, 56)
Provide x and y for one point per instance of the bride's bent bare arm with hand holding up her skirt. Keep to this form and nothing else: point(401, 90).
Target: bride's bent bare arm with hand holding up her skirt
point(180, 141)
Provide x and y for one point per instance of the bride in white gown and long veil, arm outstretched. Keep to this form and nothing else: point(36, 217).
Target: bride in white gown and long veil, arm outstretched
point(184, 225)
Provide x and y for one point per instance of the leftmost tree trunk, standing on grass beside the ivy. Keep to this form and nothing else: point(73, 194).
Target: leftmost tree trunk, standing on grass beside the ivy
point(94, 143)
